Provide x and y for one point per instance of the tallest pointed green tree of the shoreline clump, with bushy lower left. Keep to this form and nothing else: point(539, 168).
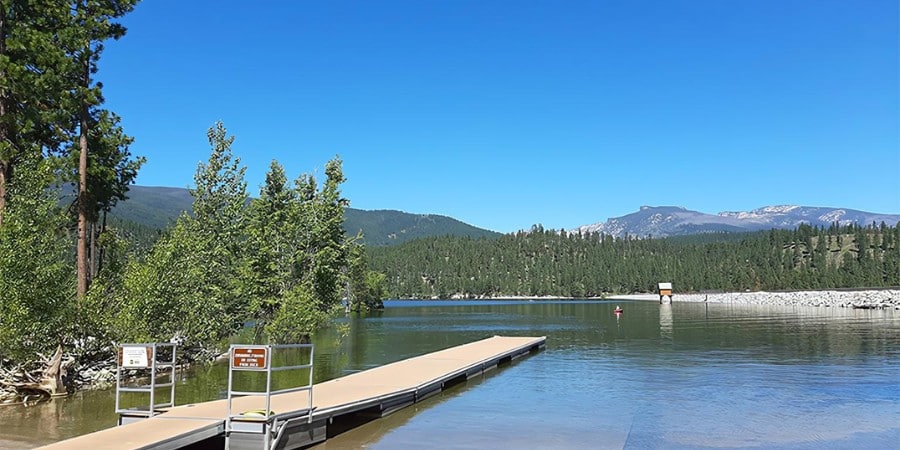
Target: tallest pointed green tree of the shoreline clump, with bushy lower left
point(188, 283)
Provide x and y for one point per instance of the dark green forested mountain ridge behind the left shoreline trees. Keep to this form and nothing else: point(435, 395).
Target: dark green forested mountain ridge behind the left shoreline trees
point(158, 207)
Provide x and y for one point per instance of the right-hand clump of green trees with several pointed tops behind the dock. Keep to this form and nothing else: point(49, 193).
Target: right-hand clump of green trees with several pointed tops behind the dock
point(298, 254)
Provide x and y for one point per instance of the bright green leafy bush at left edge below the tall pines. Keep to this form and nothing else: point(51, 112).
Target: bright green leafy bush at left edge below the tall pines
point(36, 279)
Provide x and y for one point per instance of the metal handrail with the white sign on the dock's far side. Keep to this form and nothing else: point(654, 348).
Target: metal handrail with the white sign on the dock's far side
point(150, 362)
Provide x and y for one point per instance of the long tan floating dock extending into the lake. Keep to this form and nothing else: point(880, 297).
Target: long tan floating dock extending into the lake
point(302, 417)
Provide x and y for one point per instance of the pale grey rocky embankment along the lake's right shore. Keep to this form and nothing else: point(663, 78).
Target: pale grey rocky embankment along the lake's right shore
point(864, 299)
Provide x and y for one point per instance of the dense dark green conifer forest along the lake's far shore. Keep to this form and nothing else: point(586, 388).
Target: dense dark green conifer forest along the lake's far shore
point(547, 263)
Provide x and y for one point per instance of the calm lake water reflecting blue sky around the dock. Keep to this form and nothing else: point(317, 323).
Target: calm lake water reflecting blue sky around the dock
point(687, 375)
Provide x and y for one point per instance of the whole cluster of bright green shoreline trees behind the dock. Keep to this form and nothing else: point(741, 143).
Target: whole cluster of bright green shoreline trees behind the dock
point(279, 261)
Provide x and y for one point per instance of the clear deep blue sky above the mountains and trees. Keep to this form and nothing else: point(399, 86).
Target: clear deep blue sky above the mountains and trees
point(505, 114)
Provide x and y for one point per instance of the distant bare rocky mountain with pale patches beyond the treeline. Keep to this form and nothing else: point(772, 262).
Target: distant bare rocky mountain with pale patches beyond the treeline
point(662, 221)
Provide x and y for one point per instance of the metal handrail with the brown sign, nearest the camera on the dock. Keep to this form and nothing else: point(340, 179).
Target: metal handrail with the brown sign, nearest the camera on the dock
point(253, 363)
